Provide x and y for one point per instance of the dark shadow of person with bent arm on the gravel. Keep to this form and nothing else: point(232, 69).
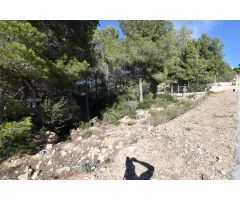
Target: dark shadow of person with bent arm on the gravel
point(130, 173)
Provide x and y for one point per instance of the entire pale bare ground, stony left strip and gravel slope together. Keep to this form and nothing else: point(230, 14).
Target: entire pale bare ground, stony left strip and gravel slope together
point(199, 144)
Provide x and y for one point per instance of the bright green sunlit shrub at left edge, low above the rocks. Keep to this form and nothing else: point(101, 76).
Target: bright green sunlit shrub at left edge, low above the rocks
point(15, 136)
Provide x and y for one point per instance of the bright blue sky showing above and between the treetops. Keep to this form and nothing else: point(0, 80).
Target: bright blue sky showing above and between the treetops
point(228, 31)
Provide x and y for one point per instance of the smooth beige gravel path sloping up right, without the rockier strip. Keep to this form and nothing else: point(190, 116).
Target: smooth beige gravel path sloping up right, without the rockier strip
point(197, 145)
